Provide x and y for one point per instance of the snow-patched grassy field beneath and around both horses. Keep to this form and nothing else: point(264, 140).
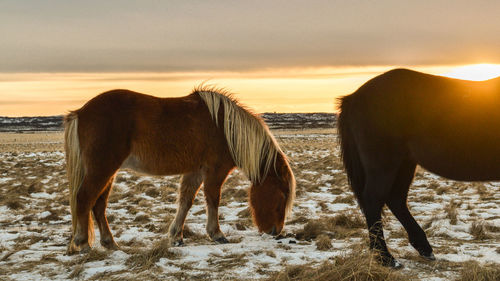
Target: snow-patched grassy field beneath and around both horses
point(462, 220)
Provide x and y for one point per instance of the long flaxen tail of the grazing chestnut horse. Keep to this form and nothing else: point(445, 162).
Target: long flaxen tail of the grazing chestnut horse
point(75, 169)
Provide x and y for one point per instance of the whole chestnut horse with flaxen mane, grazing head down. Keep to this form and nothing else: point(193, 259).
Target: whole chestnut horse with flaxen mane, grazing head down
point(202, 136)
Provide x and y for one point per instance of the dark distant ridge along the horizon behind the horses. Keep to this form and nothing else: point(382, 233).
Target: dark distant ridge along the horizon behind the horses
point(274, 120)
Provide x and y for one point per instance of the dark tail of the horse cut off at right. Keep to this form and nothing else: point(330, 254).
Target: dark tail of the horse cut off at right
point(349, 151)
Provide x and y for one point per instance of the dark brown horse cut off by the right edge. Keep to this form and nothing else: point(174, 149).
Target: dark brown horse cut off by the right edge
point(403, 118)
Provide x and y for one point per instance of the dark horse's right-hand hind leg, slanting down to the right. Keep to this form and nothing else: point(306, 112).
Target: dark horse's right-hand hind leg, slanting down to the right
point(397, 203)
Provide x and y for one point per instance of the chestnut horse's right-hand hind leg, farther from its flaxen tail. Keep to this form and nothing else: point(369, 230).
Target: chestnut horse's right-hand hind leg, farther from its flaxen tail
point(99, 210)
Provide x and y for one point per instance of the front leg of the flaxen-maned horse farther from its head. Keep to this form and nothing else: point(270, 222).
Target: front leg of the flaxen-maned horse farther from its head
point(190, 184)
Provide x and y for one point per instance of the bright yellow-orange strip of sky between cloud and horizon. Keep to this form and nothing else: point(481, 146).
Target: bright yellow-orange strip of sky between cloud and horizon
point(268, 90)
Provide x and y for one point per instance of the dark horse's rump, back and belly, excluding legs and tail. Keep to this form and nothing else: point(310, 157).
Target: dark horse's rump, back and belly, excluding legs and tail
point(449, 126)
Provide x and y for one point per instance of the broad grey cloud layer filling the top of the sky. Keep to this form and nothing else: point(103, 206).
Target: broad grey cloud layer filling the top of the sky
point(228, 35)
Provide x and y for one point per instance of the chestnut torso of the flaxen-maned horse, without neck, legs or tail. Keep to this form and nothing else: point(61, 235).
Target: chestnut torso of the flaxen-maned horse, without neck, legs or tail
point(150, 134)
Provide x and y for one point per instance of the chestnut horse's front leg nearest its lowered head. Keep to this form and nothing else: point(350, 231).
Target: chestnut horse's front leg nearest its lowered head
point(212, 189)
